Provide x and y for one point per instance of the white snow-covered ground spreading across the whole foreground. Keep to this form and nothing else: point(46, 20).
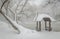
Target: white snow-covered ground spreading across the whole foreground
point(6, 32)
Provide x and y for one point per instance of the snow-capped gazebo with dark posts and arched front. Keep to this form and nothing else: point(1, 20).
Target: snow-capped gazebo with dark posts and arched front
point(46, 19)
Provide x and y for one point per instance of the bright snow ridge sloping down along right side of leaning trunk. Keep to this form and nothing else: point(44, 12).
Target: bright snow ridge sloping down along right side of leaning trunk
point(20, 27)
